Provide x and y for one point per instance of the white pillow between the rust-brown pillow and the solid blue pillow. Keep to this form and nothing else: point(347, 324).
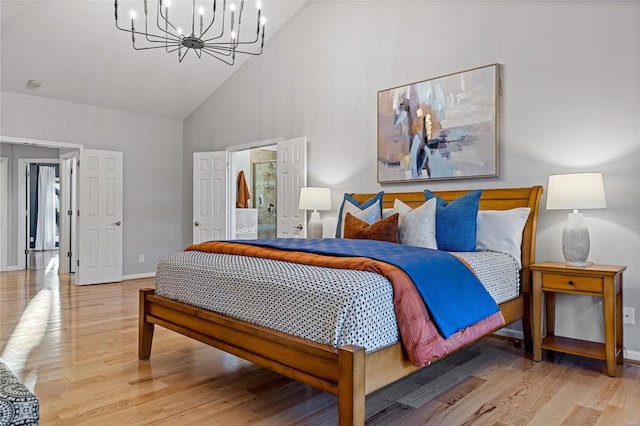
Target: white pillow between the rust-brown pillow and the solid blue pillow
point(417, 227)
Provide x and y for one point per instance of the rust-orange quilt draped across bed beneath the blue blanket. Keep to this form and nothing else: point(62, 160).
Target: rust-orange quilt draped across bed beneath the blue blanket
point(419, 334)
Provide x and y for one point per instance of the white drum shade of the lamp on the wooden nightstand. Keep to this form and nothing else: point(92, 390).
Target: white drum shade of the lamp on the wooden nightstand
point(576, 191)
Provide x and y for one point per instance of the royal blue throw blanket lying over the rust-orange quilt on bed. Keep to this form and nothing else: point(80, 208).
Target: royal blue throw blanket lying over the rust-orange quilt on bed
point(453, 295)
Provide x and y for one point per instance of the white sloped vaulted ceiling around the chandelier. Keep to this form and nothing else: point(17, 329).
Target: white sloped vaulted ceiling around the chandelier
point(75, 50)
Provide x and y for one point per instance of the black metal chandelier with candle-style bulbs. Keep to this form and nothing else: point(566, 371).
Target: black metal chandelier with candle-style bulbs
point(173, 38)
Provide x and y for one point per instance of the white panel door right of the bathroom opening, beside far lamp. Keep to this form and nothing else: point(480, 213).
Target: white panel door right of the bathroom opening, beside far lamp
point(292, 175)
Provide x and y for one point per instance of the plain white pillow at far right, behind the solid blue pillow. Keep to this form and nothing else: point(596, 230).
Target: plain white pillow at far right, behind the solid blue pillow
point(501, 230)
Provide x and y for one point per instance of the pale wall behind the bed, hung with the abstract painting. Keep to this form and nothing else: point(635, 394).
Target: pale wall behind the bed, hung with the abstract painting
point(571, 102)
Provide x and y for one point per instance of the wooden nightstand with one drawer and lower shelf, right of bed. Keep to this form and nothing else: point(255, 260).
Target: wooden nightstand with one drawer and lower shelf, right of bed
point(595, 280)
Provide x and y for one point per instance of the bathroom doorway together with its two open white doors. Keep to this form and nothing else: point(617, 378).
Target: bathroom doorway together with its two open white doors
point(227, 197)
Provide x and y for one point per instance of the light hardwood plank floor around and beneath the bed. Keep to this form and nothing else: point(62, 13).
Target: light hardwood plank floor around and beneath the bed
point(77, 348)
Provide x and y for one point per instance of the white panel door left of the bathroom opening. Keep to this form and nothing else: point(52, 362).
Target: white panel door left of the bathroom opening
point(209, 196)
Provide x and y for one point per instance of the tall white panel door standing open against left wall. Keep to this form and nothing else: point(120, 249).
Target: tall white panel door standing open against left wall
point(100, 218)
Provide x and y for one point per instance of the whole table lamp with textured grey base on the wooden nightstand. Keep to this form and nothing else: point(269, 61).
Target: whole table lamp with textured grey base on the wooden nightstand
point(573, 192)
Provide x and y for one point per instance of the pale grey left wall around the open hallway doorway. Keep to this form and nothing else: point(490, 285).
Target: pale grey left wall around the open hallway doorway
point(152, 170)
